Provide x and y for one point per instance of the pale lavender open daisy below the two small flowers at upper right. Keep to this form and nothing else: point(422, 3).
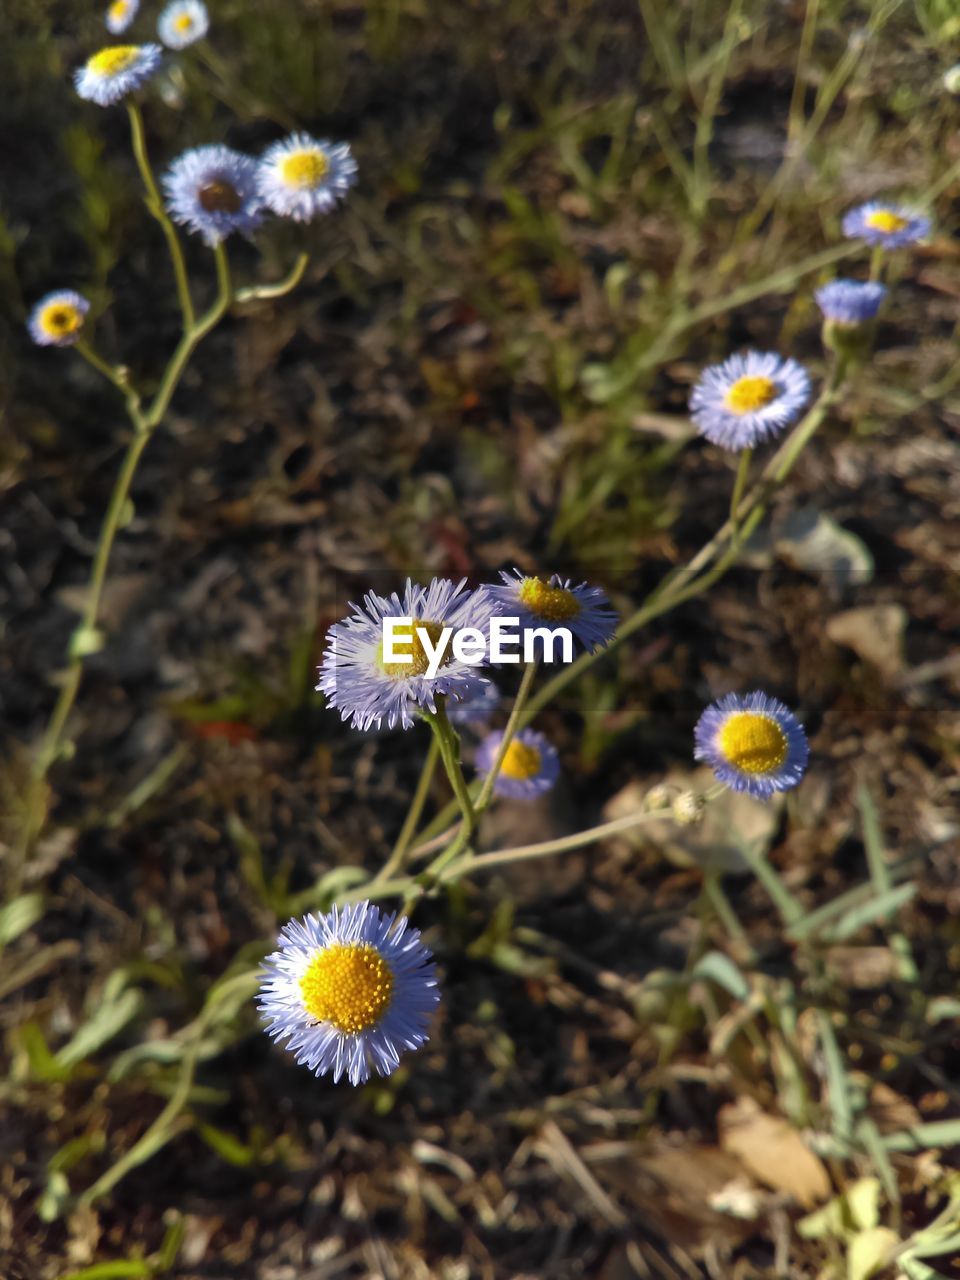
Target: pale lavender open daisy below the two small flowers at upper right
point(749, 399)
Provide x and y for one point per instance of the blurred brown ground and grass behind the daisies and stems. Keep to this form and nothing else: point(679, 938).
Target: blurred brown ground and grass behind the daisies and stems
point(564, 212)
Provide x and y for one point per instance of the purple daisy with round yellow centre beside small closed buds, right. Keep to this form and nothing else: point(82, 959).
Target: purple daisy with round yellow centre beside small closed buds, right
point(753, 744)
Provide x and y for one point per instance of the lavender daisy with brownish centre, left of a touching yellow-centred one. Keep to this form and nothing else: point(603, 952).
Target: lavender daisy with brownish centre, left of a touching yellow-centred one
point(214, 193)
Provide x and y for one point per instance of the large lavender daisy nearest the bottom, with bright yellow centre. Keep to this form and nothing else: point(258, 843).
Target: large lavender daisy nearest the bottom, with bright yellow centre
point(350, 991)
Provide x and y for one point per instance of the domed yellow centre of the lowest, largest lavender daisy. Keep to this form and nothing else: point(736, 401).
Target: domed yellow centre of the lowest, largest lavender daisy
point(348, 985)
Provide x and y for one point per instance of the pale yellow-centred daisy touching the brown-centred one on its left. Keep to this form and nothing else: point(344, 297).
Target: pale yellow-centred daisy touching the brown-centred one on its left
point(304, 177)
